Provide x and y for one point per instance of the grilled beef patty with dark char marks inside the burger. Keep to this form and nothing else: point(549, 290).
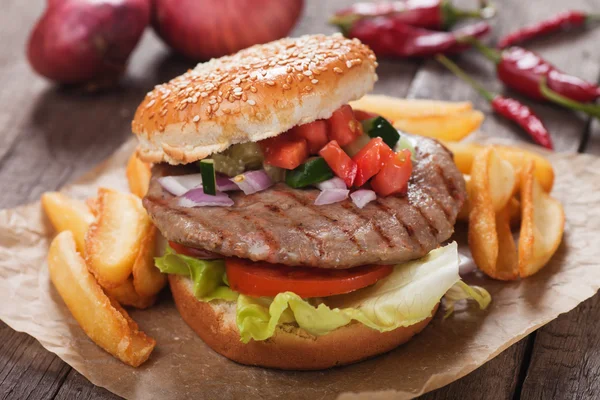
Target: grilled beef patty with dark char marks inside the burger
point(282, 225)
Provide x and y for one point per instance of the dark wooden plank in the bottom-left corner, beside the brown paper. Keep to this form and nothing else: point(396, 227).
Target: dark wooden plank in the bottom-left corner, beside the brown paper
point(27, 370)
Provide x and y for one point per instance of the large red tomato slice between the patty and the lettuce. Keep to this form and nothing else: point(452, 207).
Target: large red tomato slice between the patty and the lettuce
point(263, 279)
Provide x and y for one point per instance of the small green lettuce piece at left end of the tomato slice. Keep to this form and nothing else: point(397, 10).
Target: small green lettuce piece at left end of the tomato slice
point(209, 277)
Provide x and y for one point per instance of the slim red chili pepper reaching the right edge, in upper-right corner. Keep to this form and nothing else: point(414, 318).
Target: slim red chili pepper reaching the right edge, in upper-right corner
point(560, 22)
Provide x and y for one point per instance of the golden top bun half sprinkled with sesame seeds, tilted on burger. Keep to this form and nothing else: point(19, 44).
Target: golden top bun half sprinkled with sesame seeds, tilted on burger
point(255, 94)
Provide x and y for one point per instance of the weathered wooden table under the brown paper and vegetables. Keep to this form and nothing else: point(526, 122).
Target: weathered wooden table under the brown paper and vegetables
point(52, 135)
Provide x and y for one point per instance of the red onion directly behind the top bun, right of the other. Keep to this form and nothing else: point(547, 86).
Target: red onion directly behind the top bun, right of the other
point(204, 29)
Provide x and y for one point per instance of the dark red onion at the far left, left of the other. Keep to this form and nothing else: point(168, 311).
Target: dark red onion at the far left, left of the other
point(87, 41)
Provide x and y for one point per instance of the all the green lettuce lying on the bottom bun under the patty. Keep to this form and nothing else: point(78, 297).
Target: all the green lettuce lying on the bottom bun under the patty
point(406, 297)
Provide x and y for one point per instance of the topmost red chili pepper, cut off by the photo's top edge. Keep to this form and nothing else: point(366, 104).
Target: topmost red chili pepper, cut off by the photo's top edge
point(429, 14)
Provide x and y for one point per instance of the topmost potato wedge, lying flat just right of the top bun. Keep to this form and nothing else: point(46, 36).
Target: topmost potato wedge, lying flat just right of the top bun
point(394, 108)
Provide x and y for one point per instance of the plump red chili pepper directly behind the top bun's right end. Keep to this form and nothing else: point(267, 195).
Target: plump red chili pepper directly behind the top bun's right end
point(387, 37)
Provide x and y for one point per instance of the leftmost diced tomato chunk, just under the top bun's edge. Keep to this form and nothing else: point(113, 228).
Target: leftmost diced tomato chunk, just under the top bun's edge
point(284, 151)
